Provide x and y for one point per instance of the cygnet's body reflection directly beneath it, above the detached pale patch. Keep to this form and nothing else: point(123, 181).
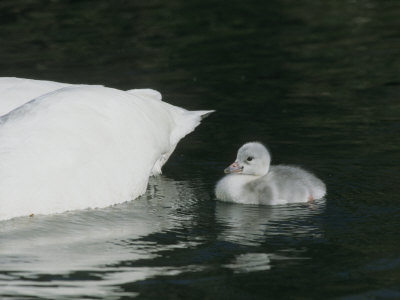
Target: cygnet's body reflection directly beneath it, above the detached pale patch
point(251, 225)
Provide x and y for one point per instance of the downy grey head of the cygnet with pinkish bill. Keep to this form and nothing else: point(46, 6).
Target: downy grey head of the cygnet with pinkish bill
point(252, 159)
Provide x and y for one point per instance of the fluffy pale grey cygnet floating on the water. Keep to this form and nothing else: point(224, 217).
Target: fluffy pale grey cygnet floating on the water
point(251, 180)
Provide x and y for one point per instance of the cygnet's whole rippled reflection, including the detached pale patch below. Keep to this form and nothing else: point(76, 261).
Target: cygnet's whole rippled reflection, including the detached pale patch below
point(264, 226)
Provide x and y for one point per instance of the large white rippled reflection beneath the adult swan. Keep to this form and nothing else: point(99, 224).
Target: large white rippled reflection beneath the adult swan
point(85, 245)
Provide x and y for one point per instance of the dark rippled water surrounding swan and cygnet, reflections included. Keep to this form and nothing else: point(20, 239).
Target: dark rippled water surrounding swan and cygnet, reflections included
point(317, 81)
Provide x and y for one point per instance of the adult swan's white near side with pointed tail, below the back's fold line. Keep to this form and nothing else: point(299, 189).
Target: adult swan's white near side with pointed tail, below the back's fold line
point(84, 147)
